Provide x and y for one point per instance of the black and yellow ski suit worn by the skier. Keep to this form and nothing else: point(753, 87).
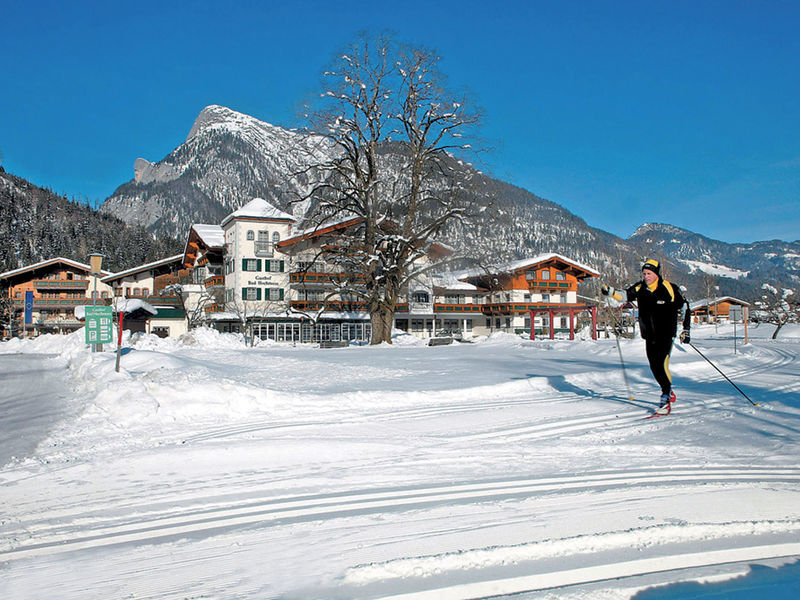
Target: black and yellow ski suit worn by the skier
point(659, 307)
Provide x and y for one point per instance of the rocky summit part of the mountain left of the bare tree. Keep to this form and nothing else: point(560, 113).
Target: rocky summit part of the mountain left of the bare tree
point(227, 159)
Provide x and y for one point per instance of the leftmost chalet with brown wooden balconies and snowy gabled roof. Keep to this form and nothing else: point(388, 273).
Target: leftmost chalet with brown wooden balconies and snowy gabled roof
point(58, 285)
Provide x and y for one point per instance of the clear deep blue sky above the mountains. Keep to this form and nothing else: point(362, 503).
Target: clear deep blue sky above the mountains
point(624, 112)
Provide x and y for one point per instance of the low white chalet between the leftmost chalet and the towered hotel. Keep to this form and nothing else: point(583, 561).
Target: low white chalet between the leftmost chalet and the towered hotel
point(151, 283)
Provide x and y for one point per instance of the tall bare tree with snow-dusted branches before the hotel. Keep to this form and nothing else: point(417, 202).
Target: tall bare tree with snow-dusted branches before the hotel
point(394, 128)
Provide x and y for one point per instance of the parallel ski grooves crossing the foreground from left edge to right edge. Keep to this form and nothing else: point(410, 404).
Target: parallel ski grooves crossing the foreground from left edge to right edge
point(96, 533)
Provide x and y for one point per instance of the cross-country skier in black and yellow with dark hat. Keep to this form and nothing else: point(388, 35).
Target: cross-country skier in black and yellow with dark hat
point(660, 304)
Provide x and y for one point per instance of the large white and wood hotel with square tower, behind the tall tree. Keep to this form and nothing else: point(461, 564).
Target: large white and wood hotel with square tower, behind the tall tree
point(256, 272)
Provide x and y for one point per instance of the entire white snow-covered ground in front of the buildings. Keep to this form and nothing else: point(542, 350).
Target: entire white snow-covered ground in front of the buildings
point(505, 466)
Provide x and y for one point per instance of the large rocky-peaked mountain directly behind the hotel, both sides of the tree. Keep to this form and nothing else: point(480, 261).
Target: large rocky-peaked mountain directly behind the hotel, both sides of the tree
point(229, 158)
